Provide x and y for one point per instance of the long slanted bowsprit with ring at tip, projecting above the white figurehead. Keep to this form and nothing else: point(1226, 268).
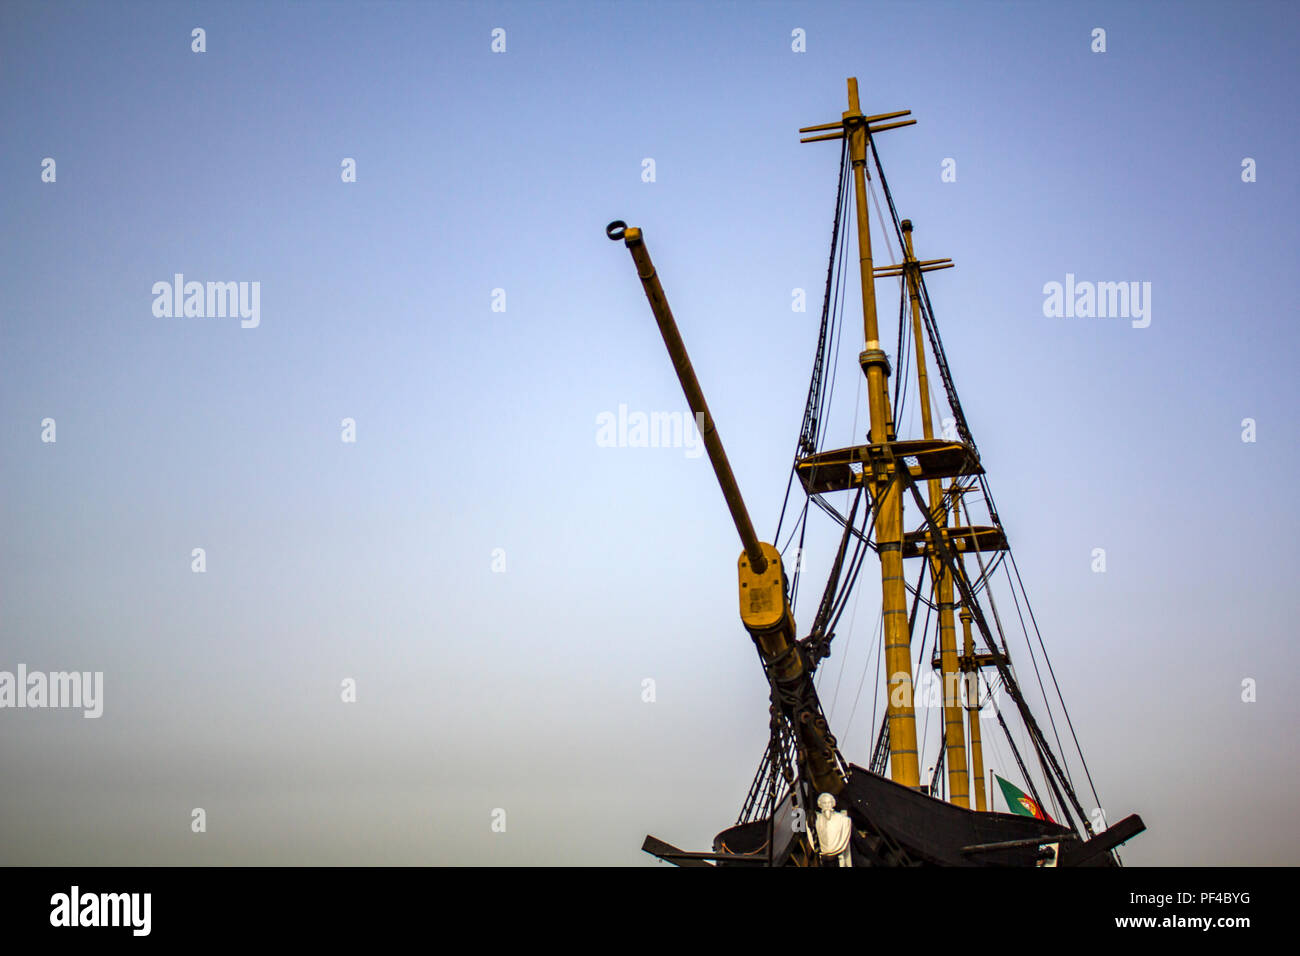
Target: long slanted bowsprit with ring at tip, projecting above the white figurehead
point(765, 608)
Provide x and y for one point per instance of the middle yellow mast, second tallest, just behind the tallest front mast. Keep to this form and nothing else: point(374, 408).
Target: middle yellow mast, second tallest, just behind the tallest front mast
point(955, 734)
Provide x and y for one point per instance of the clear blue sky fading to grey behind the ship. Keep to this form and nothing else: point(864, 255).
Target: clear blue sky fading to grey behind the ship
point(431, 643)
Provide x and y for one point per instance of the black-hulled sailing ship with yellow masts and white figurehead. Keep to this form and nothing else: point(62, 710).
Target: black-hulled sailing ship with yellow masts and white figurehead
point(925, 508)
